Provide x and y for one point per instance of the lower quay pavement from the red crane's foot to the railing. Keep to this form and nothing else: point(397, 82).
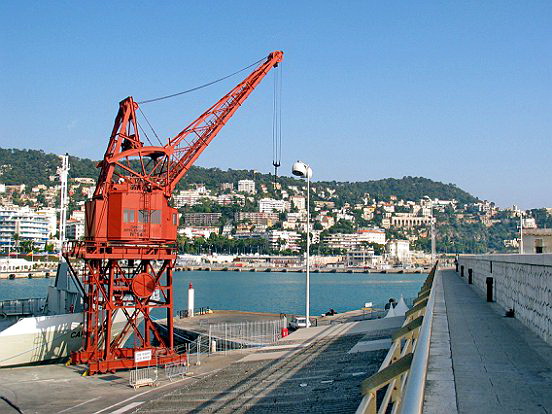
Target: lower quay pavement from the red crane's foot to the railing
point(317, 361)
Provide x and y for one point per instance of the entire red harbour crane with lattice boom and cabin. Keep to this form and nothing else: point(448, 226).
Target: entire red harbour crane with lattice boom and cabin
point(129, 249)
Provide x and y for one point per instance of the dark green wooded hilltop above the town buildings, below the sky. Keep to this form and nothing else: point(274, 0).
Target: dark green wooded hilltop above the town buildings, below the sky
point(33, 167)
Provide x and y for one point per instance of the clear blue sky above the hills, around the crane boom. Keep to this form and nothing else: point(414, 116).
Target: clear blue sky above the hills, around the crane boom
point(457, 92)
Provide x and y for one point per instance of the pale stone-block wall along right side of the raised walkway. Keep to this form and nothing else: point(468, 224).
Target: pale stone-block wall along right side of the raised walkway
point(520, 282)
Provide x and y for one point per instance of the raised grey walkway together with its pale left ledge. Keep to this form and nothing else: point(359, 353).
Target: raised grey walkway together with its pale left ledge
point(481, 361)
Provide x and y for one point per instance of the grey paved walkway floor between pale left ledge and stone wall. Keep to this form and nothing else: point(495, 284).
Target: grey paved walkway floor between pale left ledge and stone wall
point(499, 365)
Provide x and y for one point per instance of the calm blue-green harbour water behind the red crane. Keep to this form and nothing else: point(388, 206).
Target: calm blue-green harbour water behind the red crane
point(265, 291)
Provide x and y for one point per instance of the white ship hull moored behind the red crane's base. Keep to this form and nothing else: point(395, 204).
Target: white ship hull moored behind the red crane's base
point(43, 338)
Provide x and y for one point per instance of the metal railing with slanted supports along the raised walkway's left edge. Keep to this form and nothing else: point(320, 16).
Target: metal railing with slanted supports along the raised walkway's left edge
point(401, 376)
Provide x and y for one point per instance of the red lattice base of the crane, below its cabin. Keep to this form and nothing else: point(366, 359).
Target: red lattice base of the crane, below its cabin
point(133, 280)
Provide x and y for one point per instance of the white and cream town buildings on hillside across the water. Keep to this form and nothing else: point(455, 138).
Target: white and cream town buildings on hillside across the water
point(364, 230)
